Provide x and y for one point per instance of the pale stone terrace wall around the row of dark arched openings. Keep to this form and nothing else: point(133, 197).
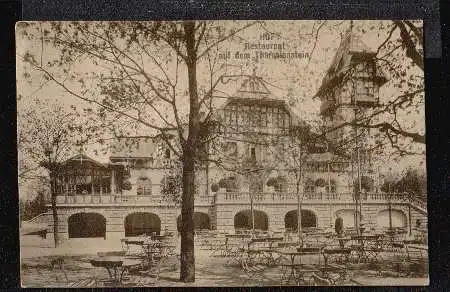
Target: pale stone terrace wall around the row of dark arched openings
point(222, 215)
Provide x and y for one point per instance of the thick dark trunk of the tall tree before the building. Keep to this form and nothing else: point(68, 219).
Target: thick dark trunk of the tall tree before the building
point(190, 154)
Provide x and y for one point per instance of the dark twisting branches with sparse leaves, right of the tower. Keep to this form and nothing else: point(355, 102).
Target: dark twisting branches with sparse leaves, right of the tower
point(398, 56)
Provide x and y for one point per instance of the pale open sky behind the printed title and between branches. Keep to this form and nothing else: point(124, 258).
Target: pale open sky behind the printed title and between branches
point(295, 80)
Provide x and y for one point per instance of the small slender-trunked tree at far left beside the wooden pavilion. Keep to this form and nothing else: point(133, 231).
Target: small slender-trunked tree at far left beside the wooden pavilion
point(47, 136)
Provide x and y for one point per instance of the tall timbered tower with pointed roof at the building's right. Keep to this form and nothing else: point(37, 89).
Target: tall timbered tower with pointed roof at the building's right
point(349, 93)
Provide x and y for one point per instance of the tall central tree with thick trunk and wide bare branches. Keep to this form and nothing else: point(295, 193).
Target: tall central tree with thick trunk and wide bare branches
point(130, 72)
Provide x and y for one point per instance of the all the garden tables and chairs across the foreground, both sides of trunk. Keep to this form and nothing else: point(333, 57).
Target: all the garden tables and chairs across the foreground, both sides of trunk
point(249, 258)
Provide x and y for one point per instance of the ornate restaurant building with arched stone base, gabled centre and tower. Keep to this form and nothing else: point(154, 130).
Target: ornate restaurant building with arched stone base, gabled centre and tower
point(264, 162)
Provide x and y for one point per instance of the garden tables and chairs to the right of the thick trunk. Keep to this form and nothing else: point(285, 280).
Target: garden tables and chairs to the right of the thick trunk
point(319, 258)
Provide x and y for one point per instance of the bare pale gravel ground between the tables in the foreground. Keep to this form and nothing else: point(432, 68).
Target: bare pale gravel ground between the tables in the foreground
point(37, 254)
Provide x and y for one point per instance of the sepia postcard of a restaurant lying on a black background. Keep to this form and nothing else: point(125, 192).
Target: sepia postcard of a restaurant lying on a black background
point(222, 153)
